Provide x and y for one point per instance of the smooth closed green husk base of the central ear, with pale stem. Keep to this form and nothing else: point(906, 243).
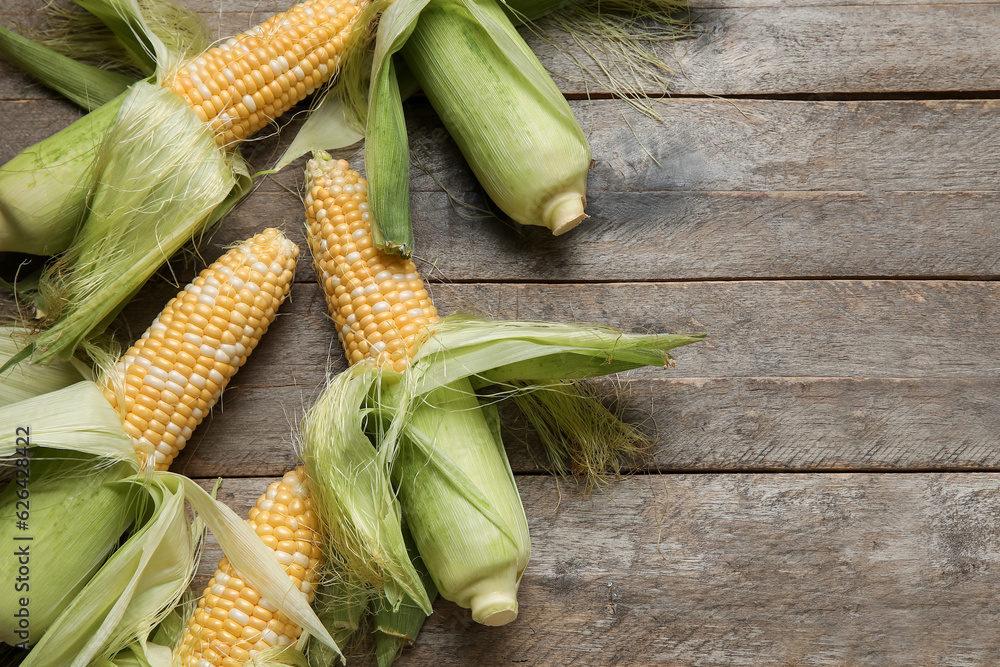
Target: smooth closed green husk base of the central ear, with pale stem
point(460, 502)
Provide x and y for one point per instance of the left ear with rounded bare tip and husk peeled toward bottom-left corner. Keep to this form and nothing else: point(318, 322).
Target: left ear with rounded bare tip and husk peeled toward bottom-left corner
point(237, 296)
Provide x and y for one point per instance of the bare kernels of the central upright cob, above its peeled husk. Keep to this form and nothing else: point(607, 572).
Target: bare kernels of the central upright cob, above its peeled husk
point(377, 299)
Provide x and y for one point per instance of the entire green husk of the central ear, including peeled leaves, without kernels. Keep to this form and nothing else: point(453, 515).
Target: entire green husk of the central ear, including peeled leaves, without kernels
point(439, 446)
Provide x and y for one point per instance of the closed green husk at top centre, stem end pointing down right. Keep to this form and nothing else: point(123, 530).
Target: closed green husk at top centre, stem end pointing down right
point(519, 137)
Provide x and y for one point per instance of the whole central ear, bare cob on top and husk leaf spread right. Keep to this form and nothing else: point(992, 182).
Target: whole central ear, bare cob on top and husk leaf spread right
point(437, 459)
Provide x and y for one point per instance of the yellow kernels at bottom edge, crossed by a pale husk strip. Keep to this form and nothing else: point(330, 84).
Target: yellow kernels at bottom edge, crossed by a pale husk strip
point(232, 622)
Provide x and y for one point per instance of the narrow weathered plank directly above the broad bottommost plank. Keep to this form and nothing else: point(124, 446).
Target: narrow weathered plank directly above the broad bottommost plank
point(697, 424)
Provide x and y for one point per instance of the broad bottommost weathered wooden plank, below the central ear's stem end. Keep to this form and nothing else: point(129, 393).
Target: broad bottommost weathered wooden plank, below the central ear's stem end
point(802, 569)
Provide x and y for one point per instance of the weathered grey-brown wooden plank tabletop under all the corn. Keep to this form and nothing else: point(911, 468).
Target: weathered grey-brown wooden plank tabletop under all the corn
point(821, 198)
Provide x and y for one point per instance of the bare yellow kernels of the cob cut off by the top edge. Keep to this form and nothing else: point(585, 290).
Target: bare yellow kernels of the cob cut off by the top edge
point(246, 82)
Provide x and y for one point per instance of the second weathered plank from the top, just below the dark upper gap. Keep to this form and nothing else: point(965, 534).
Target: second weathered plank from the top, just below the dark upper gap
point(870, 147)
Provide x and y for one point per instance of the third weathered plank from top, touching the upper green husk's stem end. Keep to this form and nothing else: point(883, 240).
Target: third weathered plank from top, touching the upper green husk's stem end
point(695, 236)
